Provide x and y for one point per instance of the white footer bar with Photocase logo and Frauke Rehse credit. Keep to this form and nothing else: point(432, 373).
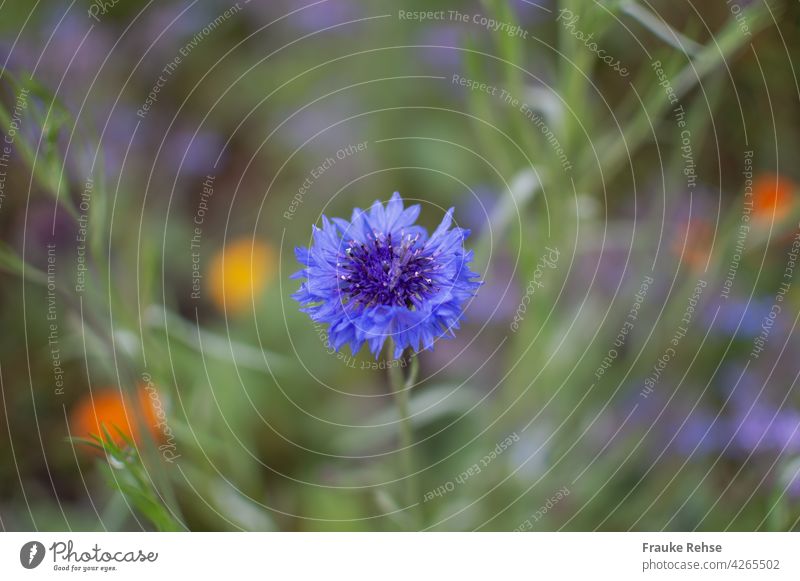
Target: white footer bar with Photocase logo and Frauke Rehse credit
point(388, 556)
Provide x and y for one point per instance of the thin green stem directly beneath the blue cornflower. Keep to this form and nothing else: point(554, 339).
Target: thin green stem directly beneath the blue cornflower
point(401, 390)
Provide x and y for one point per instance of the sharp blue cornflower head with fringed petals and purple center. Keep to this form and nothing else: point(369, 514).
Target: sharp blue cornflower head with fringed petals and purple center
point(381, 276)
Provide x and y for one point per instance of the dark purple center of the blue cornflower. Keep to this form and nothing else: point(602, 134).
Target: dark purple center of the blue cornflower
point(383, 272)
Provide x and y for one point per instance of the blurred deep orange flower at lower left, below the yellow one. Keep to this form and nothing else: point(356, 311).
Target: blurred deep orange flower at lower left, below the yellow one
point(110, 409)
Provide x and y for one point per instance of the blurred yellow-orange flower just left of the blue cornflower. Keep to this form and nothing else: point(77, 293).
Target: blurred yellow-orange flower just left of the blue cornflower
point(240, 272)
